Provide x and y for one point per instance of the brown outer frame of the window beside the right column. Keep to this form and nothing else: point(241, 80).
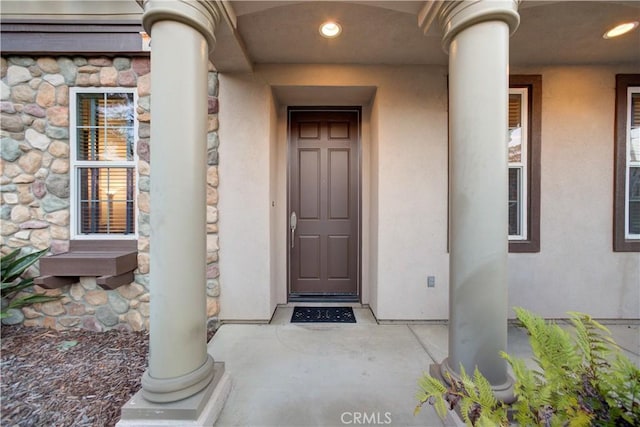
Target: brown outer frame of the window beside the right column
point(530, 241)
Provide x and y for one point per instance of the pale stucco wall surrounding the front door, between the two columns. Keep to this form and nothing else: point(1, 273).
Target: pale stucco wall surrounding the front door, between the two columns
point(405, 97)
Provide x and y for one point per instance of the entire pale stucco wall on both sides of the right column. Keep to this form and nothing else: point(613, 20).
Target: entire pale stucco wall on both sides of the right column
point(404, 174)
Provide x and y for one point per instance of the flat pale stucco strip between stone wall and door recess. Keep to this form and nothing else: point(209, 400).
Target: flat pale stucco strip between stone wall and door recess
point(245, 181)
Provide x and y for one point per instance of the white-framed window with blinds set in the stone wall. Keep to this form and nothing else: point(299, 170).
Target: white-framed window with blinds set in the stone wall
point(104, 130)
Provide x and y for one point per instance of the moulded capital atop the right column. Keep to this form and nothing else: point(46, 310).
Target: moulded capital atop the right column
point(454, 16)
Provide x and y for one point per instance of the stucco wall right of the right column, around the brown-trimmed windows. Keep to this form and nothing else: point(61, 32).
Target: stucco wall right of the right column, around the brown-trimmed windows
point(576, 268)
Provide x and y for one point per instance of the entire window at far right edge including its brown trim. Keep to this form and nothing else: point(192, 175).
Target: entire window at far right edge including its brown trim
point(627, 164)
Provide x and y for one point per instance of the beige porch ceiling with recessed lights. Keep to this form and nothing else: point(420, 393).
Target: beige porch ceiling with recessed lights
point(387, 32)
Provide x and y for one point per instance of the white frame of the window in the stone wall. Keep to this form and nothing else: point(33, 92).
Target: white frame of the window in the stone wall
point(76, 165)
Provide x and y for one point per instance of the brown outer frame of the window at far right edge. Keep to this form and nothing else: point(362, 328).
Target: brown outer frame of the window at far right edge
point(621, 241)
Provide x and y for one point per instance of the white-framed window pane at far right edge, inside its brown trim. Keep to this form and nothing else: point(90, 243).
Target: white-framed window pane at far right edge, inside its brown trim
point(632, 214)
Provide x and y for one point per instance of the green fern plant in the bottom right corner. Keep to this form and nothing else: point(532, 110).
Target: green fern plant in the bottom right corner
point(580, 379)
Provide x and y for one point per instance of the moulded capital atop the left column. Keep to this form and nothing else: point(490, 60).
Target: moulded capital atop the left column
point(203, 15)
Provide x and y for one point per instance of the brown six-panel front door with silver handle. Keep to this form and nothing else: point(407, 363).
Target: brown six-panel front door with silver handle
point(323, 203)
